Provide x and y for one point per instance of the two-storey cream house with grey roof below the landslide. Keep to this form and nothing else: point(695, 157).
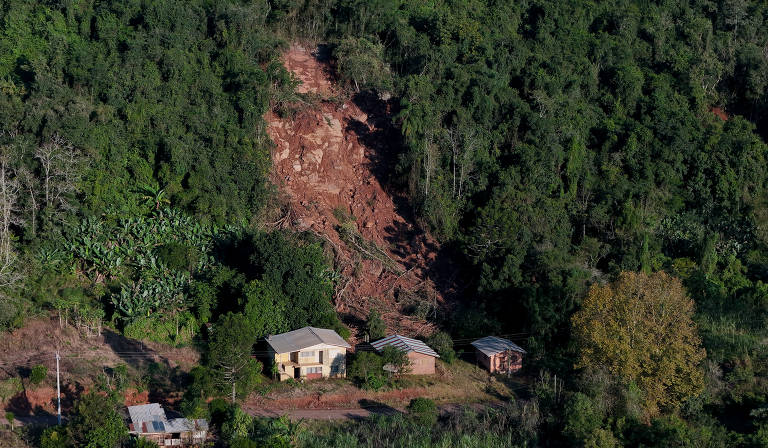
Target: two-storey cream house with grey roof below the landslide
point(309, 353)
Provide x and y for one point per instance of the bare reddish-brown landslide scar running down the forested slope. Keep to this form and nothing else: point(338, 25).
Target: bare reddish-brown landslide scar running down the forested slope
point(336, 155)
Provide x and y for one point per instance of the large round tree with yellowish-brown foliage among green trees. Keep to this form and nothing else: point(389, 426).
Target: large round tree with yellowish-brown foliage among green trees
point(640, 328)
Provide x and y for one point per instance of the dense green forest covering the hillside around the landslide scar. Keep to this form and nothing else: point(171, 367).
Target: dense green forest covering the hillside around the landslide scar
point(550, 146)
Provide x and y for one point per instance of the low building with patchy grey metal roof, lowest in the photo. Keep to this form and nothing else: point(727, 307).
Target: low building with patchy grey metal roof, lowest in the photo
point(150, 422)
